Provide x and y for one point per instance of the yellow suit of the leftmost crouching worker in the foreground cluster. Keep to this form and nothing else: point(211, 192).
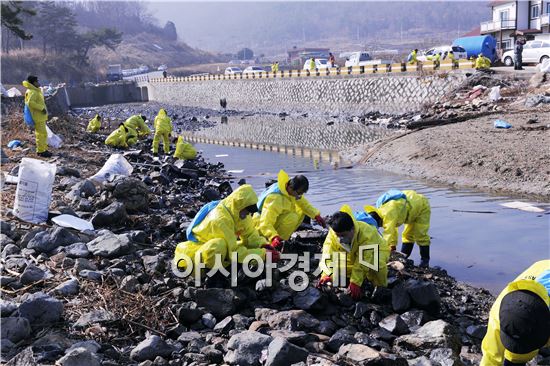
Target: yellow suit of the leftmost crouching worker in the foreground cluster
point(220, 230)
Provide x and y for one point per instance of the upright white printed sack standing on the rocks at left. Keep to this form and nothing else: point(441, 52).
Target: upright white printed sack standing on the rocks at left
point(34, 190)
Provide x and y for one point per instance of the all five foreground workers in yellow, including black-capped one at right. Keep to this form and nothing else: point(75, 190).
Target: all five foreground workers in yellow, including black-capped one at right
point(243, 224)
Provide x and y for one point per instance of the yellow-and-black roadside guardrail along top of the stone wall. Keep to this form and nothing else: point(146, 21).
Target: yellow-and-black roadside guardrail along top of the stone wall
point(337, 71)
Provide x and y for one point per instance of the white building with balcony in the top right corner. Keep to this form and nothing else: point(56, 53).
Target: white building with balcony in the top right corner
point(530, 18)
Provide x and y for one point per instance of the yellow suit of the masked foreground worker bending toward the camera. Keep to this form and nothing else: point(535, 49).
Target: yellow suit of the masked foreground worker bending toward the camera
point(364, 234)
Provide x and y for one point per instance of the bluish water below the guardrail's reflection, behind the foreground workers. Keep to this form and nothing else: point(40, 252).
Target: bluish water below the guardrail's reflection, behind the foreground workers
point(484, 249)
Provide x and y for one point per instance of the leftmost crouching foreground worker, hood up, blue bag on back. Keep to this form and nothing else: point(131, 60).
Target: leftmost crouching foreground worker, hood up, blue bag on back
point(220, 229)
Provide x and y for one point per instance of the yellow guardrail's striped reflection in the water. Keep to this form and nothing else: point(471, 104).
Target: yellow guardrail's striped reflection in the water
point(331, 156)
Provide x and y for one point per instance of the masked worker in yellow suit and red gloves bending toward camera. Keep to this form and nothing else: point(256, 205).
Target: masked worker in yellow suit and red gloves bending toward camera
point(350, 237)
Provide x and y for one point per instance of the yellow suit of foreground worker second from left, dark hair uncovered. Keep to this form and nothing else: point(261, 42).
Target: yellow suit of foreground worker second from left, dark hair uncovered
point(280, 213)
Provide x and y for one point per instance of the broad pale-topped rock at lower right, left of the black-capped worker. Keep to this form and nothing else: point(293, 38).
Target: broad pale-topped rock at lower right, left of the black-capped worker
point(434, 334)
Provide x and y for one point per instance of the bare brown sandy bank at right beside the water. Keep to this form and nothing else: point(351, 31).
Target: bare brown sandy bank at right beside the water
point(475, 154)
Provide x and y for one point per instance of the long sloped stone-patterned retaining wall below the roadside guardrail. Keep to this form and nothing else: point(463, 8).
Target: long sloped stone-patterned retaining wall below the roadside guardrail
point(393, 94)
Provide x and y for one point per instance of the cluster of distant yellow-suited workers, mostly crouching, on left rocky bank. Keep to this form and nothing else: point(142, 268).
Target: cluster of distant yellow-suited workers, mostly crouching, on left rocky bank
point(130, 131)
